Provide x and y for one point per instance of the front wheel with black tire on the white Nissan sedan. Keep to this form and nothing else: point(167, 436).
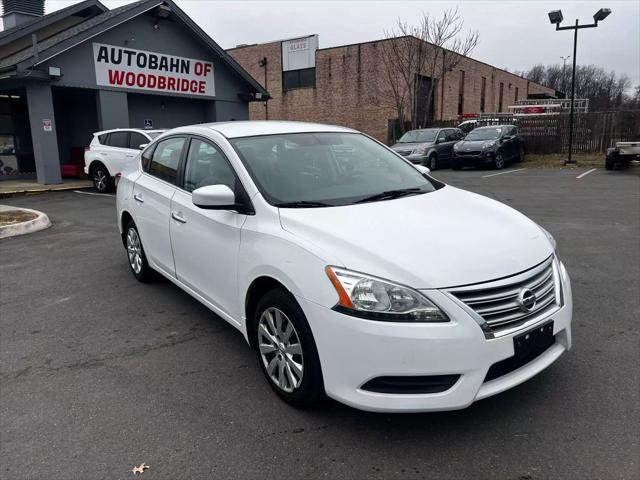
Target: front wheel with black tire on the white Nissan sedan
point(295, 377)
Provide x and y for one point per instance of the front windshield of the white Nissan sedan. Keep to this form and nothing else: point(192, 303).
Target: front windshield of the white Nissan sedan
point(327, 169)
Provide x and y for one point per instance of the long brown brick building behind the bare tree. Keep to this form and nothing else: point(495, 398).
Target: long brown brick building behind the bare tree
point(347, 85)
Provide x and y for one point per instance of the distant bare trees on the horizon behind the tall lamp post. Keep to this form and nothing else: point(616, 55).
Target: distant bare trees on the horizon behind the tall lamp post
point(606, 91)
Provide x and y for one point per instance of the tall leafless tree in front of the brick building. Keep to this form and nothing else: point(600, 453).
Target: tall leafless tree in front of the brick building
point(417, 57)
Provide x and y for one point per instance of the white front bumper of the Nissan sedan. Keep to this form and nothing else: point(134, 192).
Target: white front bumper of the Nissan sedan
point(353, 351)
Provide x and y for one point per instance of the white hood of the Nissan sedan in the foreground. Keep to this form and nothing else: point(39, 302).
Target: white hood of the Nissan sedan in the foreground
point(445, 238)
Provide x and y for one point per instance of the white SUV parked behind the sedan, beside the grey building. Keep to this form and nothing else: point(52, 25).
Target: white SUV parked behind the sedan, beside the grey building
point(111, 150)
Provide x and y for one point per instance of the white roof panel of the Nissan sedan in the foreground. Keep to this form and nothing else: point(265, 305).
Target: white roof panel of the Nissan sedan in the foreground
point(252, 128)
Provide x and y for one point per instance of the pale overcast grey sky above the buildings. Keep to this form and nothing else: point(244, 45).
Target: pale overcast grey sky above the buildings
point(513, 34)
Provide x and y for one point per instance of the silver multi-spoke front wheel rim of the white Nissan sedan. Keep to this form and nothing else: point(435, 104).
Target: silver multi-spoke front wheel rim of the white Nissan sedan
point(280, 349)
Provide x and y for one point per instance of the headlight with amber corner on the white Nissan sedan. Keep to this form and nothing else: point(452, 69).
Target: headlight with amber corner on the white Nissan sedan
point(376, 299)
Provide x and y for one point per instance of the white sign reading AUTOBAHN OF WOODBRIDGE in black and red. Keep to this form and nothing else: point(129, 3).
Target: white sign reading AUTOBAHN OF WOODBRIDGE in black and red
point(131, 69)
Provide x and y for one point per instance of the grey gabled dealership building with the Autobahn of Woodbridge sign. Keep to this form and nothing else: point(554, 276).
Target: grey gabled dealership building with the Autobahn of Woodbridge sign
point(85, 68)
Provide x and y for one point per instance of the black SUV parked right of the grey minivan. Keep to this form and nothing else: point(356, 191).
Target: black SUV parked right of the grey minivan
point(494, 146)
